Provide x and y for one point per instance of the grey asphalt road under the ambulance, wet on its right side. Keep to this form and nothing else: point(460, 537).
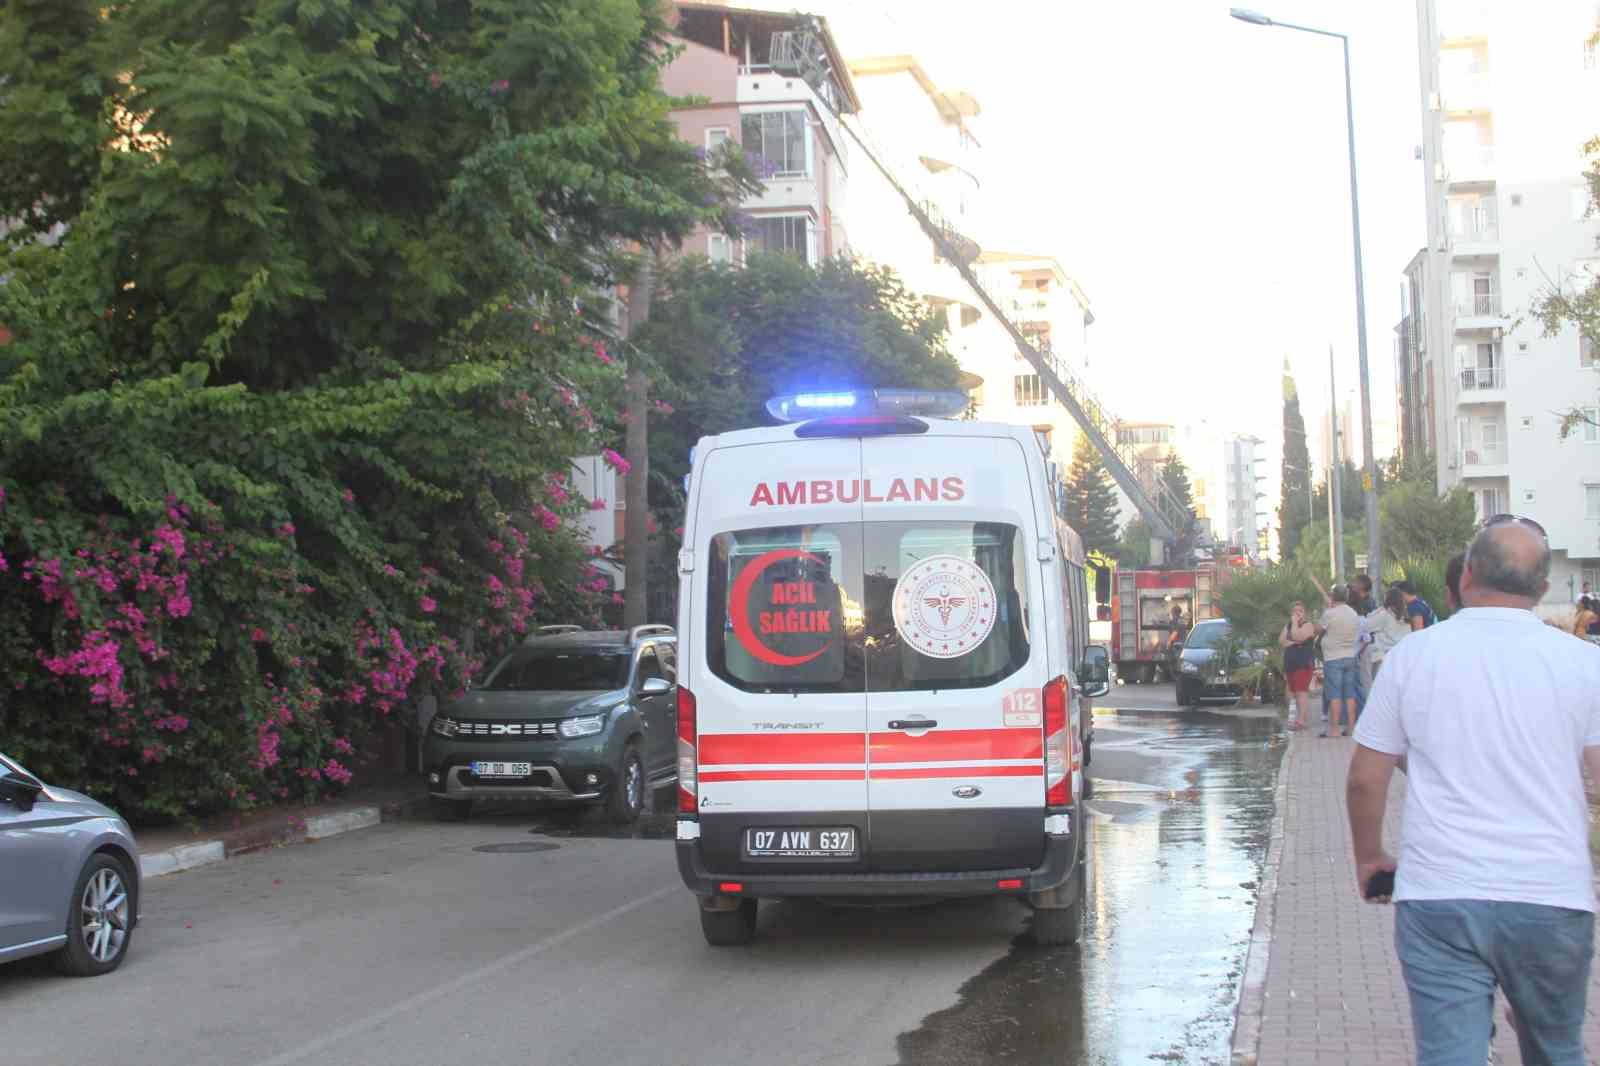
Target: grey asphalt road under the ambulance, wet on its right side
point(526, 937)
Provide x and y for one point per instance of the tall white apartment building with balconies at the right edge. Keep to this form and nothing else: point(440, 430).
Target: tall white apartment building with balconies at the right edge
point(1510, 97)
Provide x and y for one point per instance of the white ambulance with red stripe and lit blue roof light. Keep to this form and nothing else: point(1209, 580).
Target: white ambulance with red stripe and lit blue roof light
point(882, 665)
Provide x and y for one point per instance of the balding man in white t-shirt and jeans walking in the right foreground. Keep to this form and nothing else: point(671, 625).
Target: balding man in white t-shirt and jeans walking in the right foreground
point(1495, 718)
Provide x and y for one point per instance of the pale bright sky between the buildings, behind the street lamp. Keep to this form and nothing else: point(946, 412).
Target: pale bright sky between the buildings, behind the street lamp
point(1191, 172)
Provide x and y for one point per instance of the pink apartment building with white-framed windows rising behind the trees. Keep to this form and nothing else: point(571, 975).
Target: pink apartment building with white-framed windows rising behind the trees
point(775, 84)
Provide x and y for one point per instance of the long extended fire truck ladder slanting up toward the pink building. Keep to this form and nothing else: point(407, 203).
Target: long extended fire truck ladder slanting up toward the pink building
point(1164, 513)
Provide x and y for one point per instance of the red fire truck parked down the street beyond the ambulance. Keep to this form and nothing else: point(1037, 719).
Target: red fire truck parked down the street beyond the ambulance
point(1146, 631)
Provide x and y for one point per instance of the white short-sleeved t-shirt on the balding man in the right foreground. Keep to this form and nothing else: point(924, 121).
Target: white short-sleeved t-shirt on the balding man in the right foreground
point(1494, 711)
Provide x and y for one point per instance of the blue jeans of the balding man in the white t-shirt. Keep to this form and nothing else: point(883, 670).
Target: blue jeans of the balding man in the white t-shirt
point(1455, 952)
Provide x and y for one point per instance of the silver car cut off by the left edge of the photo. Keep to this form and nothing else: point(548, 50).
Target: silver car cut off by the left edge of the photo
point(70, 876)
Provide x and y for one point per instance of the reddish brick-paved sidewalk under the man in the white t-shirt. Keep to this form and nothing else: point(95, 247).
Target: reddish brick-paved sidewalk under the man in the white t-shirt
point(1329, 988)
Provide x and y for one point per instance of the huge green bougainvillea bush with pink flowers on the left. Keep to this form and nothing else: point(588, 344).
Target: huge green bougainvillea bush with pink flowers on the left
point(305, 334)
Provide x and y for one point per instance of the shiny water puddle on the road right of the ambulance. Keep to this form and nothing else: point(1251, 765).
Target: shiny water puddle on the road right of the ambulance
point(1170, 905)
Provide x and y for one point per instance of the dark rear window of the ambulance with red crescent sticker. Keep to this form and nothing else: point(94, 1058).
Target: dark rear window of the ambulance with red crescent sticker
point(812, 609)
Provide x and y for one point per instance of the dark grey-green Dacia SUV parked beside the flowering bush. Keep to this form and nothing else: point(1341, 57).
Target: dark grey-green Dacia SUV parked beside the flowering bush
point(570, 718)
